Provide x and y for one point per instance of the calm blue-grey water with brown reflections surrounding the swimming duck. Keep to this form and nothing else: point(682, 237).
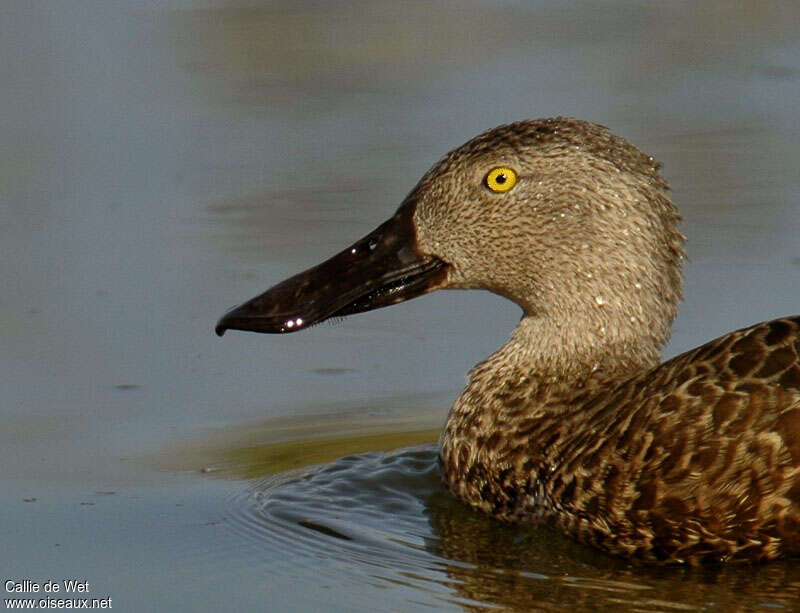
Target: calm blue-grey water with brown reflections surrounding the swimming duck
point(163, 161)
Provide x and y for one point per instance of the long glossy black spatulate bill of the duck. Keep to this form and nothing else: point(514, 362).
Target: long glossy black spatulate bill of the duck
point(383, 268)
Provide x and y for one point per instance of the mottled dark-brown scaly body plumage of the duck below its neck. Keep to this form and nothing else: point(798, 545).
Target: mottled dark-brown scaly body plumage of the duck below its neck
point(696, 459)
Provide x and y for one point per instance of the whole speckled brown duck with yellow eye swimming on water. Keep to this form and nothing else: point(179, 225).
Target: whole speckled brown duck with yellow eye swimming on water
point(575, 421)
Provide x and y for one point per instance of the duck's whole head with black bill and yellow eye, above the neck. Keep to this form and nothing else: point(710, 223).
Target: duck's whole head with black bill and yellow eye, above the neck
point(560, 216)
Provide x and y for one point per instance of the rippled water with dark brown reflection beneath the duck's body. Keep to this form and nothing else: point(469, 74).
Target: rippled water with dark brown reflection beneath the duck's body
point(384, 519)
